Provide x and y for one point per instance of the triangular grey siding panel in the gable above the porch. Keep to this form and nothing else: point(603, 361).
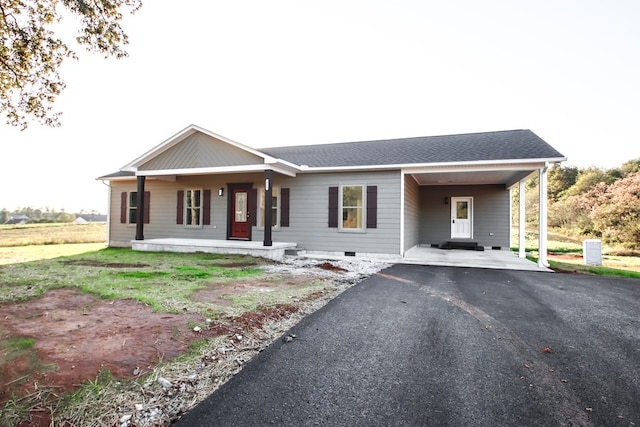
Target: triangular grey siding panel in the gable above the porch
point(199, 151)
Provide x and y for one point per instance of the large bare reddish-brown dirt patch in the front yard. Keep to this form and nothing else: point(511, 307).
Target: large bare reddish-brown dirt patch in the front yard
point(77, 336)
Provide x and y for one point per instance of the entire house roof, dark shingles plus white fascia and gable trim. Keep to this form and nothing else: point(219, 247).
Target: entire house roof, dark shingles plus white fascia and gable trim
point(469, 152)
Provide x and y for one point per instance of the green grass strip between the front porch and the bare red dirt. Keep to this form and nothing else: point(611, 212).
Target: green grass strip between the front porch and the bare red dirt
point(165, 281)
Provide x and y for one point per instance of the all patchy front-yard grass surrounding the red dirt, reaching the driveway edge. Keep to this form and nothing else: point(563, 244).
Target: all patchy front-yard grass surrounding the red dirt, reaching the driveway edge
point(164, 281)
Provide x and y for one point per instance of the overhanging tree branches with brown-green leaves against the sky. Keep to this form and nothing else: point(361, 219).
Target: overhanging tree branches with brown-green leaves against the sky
point(31, 53)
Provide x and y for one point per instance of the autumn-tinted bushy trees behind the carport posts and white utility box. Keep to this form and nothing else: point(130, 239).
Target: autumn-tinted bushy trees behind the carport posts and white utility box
point(592, 203)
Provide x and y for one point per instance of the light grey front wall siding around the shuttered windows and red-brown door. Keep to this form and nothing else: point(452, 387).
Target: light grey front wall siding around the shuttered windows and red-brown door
point(308, 215)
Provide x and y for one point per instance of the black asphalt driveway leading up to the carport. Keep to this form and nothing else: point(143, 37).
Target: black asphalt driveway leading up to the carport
point(417, 345)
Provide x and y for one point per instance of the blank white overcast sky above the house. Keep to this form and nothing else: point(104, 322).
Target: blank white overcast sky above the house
point(271, 73)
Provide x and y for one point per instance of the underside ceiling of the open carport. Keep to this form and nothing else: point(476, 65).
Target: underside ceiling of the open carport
point(504, 177)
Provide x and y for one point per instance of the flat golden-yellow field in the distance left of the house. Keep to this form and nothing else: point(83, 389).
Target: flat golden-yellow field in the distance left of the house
point(52, 234)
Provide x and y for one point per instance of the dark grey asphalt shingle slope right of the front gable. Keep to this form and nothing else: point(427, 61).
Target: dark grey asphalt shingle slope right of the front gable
point(487, 146)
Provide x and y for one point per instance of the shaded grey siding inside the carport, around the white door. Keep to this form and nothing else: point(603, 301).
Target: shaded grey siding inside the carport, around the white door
point(490, 214)
